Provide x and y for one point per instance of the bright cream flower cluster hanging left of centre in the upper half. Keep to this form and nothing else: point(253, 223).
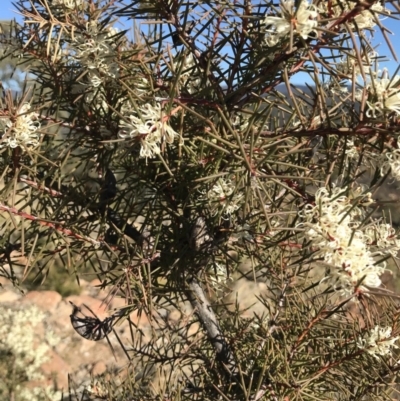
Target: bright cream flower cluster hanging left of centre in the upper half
point(150, 127)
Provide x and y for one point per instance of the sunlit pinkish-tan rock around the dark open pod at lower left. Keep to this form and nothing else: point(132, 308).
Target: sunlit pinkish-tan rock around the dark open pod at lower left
point(73, 356)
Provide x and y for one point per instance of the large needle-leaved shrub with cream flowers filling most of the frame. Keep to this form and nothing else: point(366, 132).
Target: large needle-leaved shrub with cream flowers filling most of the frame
point(178, 160)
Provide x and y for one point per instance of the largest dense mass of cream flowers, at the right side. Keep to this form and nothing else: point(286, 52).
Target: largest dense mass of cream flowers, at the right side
point(333, 226)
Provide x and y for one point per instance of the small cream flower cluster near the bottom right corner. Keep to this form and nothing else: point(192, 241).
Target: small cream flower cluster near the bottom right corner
point(378, 342)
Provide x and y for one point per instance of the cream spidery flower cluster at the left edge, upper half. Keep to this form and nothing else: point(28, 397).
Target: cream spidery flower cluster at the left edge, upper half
point(22, 131)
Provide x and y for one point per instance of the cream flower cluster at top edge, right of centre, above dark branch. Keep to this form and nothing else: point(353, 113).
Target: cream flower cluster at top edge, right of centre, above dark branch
point(303, 19)
